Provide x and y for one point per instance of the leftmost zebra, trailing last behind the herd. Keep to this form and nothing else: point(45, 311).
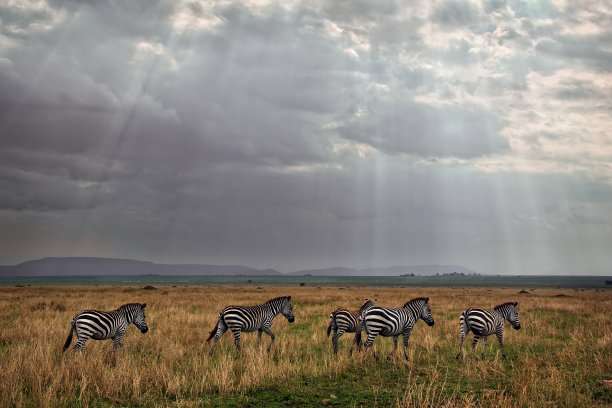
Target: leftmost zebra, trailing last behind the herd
point(105, 325)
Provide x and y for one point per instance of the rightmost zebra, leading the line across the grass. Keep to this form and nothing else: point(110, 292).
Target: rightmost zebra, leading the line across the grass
point(483, 323)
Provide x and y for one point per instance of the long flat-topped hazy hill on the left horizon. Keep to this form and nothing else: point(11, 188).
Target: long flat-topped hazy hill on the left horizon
point(109, 266)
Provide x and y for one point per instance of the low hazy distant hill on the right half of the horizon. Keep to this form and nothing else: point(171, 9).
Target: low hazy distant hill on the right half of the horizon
point(420, 270)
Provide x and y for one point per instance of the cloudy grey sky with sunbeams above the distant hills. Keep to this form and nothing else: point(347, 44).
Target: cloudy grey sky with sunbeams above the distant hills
point(309, 134)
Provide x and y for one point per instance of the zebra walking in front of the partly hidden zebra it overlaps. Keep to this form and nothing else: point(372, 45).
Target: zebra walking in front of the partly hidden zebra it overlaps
point(390, 322)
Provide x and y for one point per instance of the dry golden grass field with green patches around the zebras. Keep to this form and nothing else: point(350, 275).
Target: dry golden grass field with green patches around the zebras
point(560, 357)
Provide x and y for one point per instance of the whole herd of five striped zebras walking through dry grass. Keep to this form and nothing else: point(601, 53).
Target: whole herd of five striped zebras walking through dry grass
point(374, 320)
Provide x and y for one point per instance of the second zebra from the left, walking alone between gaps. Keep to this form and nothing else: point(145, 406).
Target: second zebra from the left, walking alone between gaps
point(250, 318)
